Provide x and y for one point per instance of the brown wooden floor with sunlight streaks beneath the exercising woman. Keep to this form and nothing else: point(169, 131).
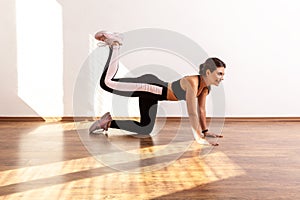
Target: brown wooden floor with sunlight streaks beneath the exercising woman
point(255, 160)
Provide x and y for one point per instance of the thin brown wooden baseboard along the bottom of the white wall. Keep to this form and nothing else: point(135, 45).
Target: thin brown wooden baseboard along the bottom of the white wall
point(72, 119)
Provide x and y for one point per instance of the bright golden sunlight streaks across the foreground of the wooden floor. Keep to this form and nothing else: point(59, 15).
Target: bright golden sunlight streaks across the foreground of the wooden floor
point(184, 174)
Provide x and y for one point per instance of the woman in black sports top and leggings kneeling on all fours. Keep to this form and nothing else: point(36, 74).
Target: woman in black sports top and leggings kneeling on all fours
point(150, 89)
